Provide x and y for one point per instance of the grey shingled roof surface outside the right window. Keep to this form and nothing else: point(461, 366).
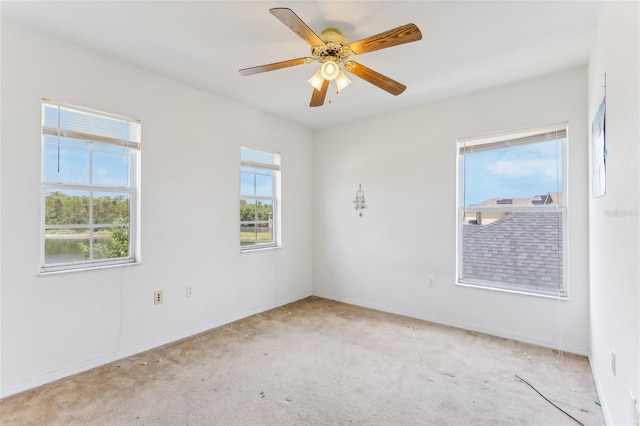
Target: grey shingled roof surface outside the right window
point(523, 248)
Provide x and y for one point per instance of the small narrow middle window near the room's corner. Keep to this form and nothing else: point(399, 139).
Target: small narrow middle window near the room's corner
point(259, 196)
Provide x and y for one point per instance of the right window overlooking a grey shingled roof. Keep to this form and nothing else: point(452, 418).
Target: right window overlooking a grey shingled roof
point(511, 211)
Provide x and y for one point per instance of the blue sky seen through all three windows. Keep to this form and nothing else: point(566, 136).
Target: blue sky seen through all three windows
point(515, 172)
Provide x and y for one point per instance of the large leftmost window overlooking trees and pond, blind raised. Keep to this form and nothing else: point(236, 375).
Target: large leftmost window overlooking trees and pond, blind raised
point(89, 163)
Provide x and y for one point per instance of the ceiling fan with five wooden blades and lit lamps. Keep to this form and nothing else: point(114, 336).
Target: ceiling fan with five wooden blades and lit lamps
point(333, 51)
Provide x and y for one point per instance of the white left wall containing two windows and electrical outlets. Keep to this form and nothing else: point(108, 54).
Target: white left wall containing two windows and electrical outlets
point(56, 325)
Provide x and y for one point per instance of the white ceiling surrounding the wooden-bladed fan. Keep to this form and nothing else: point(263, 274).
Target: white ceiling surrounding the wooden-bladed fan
point(466, 46)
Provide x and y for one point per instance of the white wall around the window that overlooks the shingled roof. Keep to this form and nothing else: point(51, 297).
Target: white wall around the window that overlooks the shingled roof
point(406, 163)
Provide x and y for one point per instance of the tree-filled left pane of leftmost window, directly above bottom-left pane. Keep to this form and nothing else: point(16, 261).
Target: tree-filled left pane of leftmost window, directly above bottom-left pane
point(66, 207)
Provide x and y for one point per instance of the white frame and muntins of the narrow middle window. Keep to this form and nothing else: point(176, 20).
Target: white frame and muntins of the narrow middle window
point(275, 171)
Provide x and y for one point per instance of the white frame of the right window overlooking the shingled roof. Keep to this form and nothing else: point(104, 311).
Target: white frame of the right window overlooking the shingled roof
point(496, 141)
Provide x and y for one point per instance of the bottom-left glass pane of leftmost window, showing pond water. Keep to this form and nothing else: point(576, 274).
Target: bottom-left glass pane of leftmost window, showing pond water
point(66, 245)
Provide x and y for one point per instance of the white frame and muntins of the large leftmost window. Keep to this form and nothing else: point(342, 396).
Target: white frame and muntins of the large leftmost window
point(92, 143)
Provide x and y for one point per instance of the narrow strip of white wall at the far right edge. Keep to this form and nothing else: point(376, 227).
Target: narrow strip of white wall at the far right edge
point(614, 218)
